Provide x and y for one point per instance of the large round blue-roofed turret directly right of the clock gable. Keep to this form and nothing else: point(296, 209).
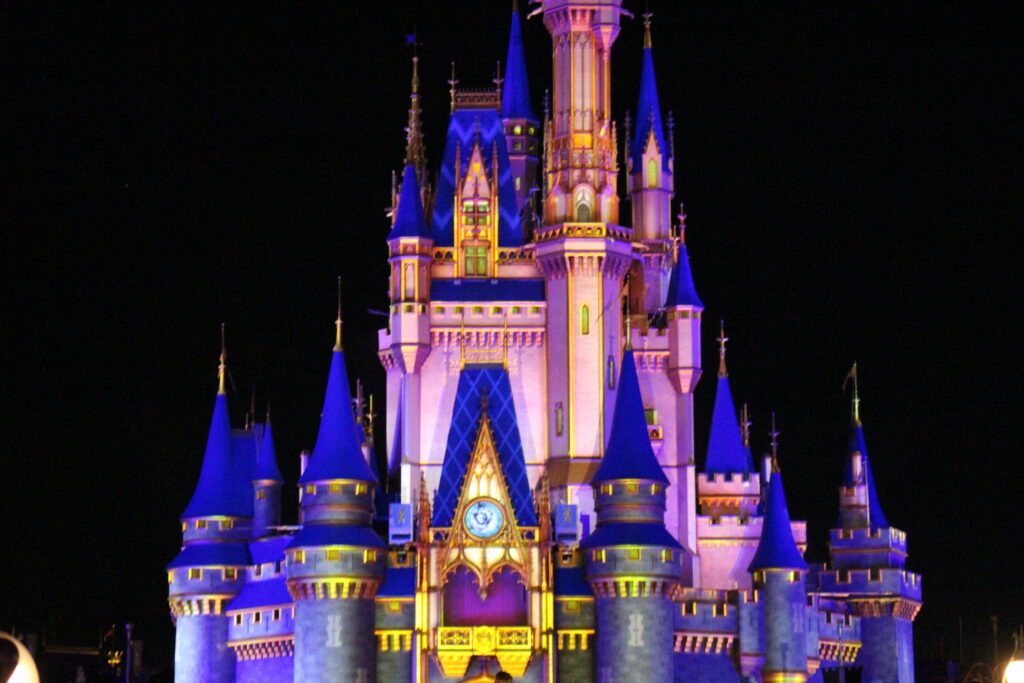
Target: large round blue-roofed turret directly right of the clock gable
point(633, 564)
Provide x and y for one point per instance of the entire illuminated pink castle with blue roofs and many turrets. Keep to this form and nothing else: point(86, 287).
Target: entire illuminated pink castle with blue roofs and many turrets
point(542, 510)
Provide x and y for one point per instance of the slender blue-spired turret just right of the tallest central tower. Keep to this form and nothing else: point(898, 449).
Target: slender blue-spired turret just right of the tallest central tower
point(650, 182)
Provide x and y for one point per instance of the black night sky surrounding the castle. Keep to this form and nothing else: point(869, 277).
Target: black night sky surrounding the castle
point(849, 173)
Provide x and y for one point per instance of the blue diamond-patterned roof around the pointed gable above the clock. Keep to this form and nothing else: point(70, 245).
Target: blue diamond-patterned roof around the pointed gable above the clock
point(462, 438)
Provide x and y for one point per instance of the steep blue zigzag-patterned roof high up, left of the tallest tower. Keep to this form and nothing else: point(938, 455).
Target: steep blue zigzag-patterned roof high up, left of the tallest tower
point(465, 127)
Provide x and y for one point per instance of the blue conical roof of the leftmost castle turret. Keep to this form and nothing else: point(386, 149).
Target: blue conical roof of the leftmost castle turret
point(222, 489)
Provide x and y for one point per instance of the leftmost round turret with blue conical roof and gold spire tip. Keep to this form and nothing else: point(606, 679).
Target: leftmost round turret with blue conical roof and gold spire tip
point(210, 569)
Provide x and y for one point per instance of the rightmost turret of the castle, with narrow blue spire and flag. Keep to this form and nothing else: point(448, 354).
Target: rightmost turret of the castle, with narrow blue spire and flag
point(868, 566)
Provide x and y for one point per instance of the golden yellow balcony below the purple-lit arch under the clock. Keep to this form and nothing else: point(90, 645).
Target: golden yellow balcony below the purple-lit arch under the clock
point(511, 646)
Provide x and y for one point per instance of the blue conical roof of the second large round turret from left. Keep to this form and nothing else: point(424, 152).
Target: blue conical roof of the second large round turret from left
point(338, 454)
